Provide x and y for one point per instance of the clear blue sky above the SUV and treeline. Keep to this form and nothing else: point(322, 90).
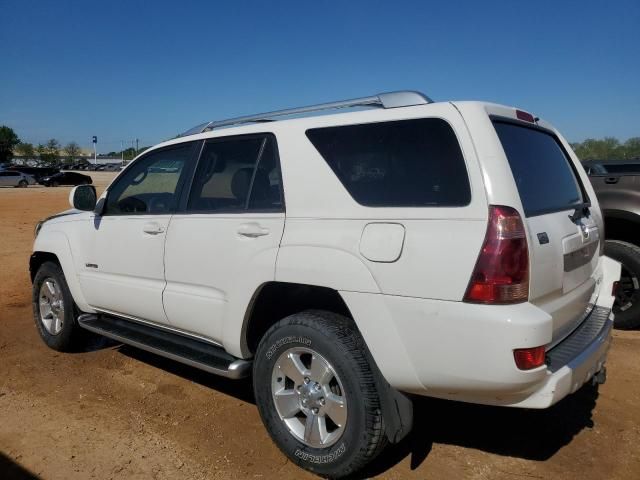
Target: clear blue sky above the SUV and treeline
point(148, 70)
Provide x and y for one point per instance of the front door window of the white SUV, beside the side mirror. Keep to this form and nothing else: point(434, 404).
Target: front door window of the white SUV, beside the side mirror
point(151, 185)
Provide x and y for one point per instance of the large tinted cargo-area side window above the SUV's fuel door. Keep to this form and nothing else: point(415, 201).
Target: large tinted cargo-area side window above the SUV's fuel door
point(408, 163)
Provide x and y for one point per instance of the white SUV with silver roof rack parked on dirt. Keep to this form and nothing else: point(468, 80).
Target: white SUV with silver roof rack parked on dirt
point(347, 261)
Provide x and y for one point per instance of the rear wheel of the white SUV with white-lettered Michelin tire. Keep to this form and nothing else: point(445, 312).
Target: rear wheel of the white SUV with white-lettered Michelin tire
point(316, 393)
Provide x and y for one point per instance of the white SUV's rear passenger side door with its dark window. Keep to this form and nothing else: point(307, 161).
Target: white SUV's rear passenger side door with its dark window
point(223, 244)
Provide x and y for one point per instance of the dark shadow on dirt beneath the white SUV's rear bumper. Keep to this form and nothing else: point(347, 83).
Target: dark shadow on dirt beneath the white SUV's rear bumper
point(528, 434)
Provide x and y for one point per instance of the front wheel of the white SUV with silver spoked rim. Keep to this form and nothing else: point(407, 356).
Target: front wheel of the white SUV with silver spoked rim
point(54, 309)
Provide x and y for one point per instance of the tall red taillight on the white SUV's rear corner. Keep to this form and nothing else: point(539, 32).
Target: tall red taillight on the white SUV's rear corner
point(501, 274)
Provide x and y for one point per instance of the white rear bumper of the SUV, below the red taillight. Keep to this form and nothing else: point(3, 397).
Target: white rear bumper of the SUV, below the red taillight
point(464, 352)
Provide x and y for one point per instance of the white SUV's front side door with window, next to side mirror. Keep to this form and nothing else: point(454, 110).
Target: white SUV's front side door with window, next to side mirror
point(123, 271)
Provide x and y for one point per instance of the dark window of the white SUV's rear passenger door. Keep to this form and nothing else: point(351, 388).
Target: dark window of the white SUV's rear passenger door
point(237, 174)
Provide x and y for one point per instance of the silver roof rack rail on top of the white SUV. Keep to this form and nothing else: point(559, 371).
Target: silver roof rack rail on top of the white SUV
point(404, 98)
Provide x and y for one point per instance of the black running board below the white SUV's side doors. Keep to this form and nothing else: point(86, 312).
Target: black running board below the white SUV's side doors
point(171, 345)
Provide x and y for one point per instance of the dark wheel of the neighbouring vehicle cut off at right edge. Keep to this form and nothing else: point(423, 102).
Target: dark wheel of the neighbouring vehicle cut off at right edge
point(627, 305)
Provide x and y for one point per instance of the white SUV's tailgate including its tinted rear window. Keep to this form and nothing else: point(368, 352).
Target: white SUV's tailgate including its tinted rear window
point(563, 236)
